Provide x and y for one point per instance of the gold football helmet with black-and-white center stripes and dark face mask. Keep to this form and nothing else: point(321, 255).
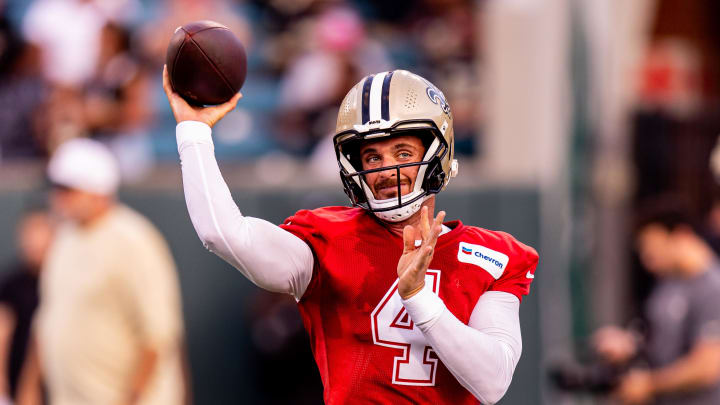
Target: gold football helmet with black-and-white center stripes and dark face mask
point(388, 104)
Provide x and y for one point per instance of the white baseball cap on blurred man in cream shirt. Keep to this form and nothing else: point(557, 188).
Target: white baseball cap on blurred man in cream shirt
point(84, 164)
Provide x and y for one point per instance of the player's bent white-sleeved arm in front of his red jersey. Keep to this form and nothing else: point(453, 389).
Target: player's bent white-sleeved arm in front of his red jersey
point(482, 358)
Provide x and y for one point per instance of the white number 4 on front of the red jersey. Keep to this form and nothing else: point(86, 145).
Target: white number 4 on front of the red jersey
point(392, 327)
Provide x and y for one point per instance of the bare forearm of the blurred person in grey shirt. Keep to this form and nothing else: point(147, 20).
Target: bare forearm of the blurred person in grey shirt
point(699, 369)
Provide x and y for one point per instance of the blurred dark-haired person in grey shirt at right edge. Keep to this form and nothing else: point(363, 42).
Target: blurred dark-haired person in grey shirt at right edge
point(682, 315)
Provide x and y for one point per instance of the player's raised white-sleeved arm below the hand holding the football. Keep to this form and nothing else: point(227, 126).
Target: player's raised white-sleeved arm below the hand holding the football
point(267, 255)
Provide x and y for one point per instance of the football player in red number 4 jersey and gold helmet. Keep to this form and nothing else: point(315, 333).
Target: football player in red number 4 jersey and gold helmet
point(400, 307)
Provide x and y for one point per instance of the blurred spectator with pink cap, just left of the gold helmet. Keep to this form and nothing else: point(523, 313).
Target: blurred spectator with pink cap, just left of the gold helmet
point(335, 54)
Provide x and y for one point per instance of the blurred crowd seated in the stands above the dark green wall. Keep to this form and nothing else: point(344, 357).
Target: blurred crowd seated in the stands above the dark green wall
point(92, 68)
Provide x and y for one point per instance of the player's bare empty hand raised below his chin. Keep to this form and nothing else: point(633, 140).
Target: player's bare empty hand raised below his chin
point(416, 258)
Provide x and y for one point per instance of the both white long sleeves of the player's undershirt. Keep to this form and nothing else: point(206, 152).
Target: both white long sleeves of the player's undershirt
point(481, 355)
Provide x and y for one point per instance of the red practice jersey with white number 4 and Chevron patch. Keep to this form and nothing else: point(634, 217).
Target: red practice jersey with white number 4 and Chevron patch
point(367, 349)
